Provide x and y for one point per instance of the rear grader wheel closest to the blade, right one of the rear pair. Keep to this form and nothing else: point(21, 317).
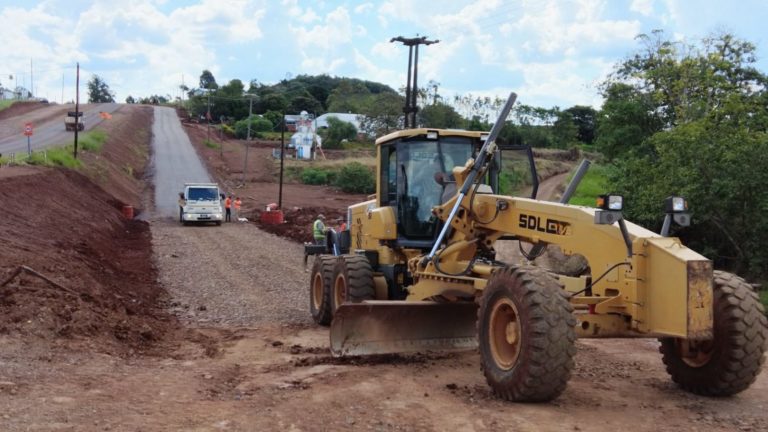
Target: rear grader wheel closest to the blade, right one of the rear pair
point(352, 280)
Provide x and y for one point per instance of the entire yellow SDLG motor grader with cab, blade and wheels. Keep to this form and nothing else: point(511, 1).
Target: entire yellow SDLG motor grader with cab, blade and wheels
point(418, 271)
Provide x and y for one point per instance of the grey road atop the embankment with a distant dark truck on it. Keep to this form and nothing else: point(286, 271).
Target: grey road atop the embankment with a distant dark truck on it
point(51, 132)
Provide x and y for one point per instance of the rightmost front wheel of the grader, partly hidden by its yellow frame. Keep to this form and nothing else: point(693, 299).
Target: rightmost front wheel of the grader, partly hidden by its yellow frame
point(729, 362)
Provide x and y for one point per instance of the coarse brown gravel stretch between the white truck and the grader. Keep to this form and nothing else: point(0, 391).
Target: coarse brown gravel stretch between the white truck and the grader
point(232, 275)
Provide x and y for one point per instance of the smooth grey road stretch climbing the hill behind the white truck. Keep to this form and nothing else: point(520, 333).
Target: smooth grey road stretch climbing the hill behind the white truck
point(175, 162)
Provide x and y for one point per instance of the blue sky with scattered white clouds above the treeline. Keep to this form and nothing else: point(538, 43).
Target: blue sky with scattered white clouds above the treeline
point(552, 53)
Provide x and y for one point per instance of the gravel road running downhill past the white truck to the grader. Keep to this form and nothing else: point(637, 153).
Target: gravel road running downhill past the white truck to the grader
point(233, 275)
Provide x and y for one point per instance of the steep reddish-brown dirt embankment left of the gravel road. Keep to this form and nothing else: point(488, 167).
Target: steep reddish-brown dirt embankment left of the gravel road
point(67, 227)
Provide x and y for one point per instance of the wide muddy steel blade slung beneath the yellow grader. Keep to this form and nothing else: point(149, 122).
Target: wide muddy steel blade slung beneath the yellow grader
point(385, 327)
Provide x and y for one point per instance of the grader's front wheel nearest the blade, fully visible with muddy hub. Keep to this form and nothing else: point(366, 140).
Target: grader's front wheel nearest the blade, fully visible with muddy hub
point(526, 335)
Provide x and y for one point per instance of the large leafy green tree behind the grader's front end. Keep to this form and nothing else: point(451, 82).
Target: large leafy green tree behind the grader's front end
point(693, 120)
